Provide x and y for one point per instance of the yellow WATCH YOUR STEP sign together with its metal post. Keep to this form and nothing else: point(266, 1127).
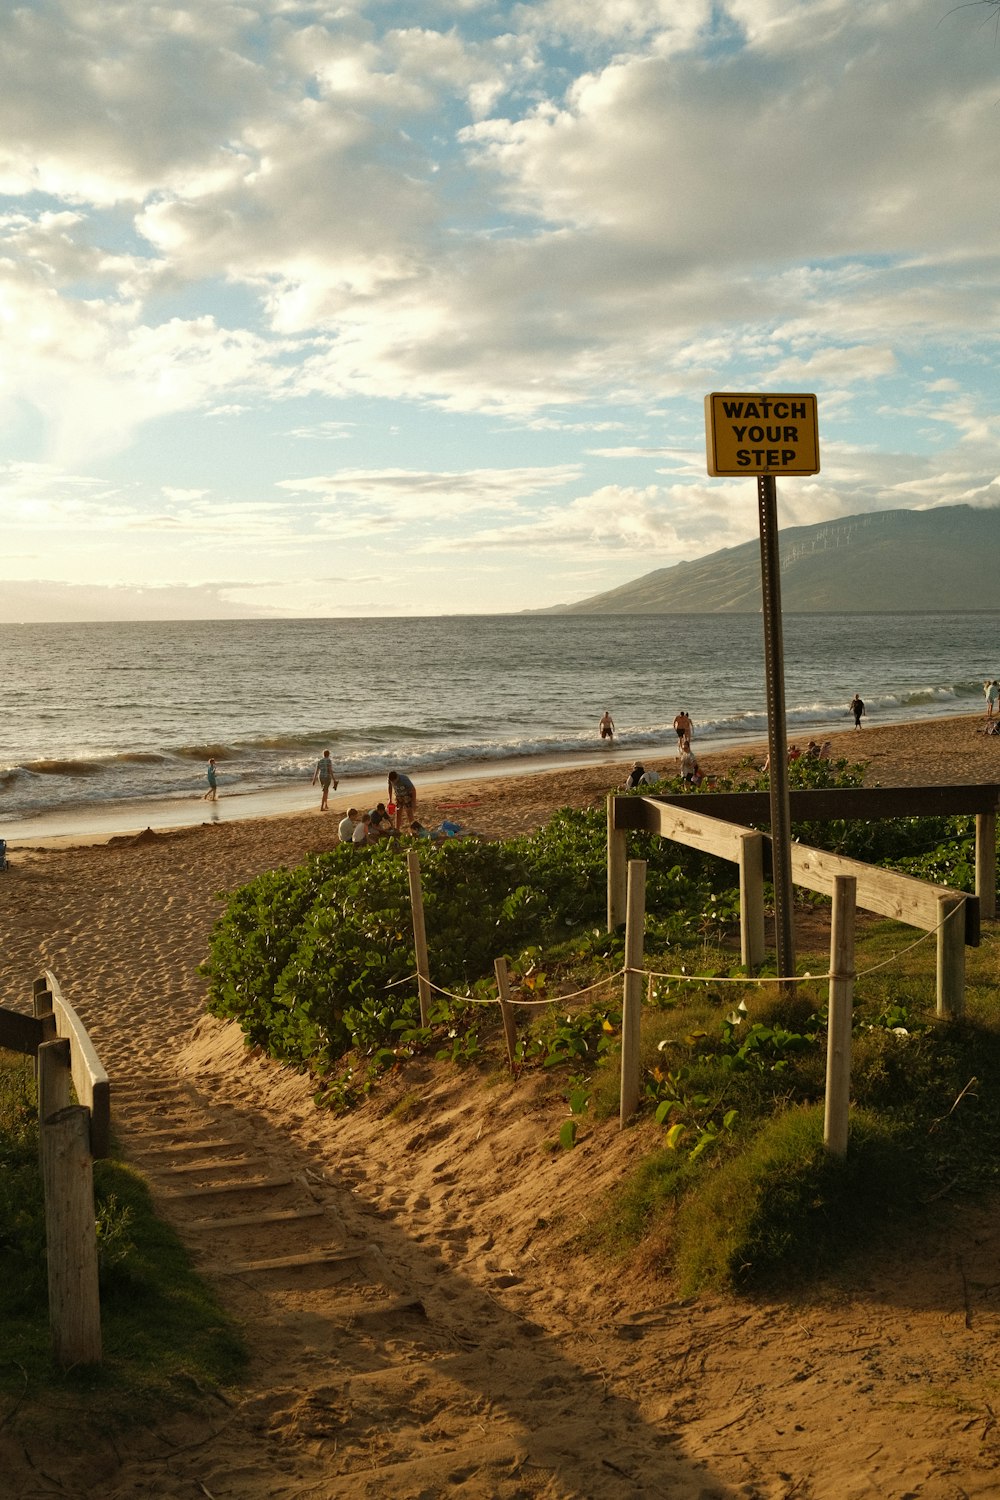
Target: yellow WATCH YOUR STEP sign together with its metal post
point(767, 436)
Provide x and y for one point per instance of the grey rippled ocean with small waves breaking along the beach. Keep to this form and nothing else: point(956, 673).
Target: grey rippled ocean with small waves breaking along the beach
point(115, 716)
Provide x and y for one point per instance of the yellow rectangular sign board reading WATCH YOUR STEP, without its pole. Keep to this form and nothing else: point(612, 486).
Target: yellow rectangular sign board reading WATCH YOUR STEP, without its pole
point(761, 434)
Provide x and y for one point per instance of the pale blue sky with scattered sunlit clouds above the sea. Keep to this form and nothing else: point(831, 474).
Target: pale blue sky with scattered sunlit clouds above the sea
point(410, 310)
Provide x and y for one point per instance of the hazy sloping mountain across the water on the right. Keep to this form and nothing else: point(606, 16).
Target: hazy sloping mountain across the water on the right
point(885, 562)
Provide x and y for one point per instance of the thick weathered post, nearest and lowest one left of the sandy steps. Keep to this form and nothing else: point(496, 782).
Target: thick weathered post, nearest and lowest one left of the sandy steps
point(74, 1300)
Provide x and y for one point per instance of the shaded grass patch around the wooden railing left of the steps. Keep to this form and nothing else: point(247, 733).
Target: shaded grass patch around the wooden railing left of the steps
point(167, 1340)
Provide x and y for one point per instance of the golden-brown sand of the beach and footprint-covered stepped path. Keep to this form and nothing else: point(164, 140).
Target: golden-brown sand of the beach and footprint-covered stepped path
point(445, 1333)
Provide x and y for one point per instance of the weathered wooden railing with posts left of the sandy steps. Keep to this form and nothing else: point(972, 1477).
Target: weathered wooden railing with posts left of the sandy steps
point(70, 1139)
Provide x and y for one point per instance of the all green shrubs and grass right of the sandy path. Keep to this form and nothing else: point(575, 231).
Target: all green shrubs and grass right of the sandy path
point(319, 964)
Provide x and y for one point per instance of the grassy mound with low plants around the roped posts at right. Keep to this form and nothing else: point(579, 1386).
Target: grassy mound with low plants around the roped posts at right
point(744, 1196)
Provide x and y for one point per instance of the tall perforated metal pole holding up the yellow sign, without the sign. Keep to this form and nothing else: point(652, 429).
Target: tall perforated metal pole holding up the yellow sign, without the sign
point(777, 734)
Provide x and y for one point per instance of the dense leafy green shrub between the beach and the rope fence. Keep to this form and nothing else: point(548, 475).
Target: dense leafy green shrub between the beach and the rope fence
point(316, 962)
